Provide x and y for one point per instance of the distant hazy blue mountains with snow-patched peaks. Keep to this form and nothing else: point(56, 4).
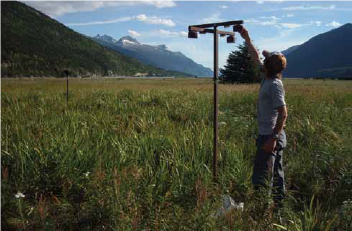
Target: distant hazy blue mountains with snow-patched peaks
point(159, 56)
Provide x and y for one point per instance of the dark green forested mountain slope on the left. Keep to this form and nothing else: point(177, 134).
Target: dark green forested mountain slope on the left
point(33, 44)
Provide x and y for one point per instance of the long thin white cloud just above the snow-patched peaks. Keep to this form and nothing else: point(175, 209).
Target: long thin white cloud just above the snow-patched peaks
point(142, 18)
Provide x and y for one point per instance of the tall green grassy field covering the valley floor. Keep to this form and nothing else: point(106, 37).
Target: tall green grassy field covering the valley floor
point(128, 154)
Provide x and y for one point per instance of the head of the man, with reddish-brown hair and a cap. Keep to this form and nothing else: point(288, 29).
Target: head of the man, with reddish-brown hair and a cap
point(274, 64)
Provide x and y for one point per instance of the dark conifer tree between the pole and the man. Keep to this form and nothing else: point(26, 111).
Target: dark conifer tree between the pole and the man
point(239, 67)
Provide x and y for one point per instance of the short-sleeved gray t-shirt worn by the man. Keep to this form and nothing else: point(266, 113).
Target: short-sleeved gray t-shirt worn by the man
point(271, 96)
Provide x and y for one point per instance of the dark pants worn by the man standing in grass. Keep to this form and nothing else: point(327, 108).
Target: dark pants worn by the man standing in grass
point(268, 167)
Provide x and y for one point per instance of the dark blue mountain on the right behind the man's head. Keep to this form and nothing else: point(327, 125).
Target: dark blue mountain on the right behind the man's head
point(328, 55)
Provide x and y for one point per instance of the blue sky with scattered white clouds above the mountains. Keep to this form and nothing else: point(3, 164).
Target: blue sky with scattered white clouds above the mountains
point(273, 24)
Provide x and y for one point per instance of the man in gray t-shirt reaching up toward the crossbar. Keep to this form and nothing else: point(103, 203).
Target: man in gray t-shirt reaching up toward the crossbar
point(272, 114)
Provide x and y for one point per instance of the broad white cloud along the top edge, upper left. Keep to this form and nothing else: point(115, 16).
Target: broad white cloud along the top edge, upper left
point(61, 7)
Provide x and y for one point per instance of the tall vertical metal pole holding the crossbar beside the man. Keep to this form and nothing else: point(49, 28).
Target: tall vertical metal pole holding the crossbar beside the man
point(215, 150)
